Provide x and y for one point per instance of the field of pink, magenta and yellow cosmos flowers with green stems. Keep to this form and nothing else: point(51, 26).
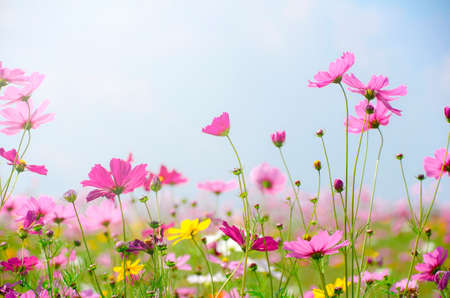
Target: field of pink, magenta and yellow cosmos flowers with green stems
point(122, 232)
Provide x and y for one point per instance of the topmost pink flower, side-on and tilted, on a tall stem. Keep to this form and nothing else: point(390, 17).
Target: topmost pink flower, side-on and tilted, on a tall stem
point(335, 71)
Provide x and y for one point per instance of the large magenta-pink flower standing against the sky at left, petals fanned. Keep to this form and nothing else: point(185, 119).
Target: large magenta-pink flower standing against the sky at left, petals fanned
point(121, 179)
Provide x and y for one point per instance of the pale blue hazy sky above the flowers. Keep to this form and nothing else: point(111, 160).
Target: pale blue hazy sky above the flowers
point(146, 76)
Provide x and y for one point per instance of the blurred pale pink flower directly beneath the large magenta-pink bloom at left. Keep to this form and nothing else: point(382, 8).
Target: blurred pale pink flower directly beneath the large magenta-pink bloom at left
point(102, 216)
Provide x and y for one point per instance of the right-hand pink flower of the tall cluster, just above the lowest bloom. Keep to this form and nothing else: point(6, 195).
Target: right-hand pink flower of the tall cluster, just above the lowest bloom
point(374, 90)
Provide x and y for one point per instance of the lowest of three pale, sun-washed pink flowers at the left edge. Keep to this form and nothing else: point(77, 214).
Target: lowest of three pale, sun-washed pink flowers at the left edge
point(18, 118)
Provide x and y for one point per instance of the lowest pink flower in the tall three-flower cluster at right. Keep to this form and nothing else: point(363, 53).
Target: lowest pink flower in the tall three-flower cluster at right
point(380, 116)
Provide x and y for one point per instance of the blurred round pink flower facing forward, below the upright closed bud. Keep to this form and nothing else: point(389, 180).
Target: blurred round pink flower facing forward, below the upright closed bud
point(269, 180)
